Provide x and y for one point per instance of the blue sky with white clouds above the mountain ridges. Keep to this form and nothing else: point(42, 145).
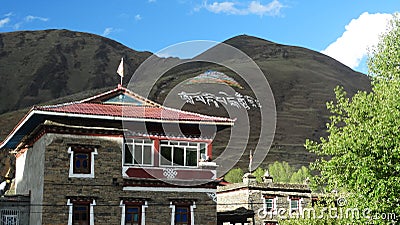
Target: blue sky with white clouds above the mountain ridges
point(342, 29)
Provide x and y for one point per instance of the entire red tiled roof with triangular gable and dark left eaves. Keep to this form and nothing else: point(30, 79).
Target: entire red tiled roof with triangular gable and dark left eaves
point(97, 107)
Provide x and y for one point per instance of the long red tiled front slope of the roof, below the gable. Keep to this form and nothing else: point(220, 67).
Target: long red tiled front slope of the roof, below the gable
point(131, 111)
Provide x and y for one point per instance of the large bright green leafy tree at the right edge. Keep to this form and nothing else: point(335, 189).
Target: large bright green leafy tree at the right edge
point(363, 146)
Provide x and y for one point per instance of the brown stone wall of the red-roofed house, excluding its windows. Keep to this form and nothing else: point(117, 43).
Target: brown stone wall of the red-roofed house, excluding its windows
point(106, 188)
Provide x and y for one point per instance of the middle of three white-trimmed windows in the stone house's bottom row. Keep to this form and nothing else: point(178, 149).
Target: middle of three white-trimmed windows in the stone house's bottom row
point(133, 212)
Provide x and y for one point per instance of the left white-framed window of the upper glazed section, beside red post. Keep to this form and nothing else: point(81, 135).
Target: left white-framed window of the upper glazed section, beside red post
point(138, 152)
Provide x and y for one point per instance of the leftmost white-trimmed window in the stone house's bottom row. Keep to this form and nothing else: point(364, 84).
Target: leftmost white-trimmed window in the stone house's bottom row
point(81, 212)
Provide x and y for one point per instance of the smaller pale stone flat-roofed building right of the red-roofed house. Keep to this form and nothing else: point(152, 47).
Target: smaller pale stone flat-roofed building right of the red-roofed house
point(268, 201)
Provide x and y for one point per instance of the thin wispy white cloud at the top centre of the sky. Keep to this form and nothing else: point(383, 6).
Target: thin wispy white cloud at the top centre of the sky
point(254, 7)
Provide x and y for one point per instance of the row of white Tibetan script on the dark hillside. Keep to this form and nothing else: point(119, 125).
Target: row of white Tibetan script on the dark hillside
point(237, 100)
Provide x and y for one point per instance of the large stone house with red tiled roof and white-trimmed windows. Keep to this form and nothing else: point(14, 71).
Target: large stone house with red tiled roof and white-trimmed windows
point(116, 158)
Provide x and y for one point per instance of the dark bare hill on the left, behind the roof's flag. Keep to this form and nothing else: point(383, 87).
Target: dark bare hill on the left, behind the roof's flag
point(39, 66)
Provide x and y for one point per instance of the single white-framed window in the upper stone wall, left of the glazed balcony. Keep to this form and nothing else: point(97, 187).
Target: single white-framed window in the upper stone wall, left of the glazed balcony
point(82, 160)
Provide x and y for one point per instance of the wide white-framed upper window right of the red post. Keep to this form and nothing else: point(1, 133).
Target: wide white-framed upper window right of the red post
point(181, 153)
